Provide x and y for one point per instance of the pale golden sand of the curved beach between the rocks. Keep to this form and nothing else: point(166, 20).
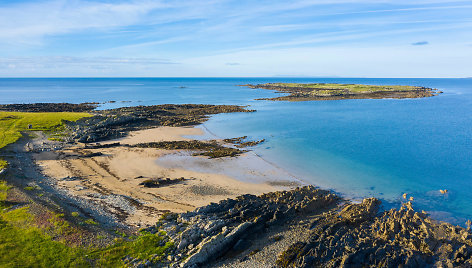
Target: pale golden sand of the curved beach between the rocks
point(112, 180)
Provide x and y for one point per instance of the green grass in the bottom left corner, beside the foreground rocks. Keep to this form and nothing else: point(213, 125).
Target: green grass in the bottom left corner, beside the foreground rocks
point(24, 244)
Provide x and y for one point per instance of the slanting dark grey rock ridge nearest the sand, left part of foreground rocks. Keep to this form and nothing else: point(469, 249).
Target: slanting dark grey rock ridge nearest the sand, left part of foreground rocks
point(209, 232)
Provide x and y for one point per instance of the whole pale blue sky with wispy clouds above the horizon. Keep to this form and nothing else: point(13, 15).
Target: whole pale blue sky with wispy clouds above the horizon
point(371, 38)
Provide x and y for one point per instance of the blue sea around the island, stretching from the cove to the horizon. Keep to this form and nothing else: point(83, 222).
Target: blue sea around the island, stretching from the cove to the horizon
point(359, 148)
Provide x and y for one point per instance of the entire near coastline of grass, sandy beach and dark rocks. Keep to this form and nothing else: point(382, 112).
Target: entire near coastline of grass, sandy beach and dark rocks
point(87, 188)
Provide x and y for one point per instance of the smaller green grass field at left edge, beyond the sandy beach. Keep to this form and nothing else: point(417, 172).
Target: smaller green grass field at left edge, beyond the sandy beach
point(13, 123)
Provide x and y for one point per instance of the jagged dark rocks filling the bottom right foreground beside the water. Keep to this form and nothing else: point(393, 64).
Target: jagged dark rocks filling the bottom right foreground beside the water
point(336, 234)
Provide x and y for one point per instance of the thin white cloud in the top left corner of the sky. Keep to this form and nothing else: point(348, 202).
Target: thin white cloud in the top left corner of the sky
point(29, 22)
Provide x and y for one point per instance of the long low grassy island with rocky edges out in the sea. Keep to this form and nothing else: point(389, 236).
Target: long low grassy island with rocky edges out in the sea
point(328, 91)
